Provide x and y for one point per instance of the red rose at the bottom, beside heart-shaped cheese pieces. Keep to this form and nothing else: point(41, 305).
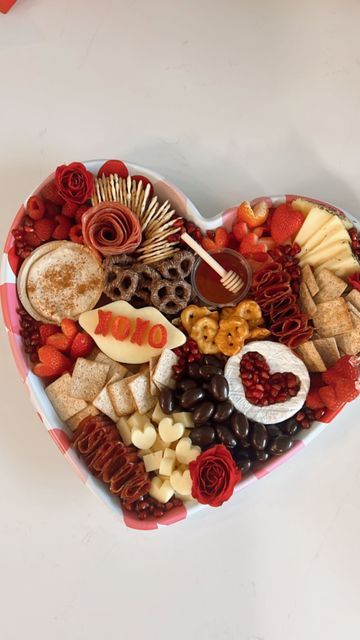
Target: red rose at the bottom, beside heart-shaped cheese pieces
point(214, 475)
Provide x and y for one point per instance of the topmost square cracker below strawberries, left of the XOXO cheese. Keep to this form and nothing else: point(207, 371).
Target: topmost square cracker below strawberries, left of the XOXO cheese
point(88, 379)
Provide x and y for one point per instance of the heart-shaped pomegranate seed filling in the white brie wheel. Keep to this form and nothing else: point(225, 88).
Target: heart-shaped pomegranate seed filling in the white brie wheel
point(262, 387)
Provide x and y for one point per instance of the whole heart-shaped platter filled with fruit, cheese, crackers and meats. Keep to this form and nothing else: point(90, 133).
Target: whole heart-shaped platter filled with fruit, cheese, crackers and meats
point(166, 390)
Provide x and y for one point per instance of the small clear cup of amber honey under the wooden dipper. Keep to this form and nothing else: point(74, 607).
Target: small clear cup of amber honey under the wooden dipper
point(206, 282)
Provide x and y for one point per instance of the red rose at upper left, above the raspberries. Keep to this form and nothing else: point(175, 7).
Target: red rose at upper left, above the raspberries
point(74, 182)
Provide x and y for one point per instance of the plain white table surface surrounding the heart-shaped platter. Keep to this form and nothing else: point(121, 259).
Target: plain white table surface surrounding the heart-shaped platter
point(230, 100)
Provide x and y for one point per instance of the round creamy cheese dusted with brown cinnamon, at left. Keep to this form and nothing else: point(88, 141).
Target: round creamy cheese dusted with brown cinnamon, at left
point(60, 280)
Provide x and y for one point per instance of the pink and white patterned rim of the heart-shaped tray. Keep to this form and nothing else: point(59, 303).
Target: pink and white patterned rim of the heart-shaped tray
point(58, 430)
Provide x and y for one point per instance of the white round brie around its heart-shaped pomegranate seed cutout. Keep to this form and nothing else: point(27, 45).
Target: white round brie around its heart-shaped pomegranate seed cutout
point(279, 358)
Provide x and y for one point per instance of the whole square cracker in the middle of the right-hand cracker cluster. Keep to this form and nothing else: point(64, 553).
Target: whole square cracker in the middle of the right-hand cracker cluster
point(332, 318)
